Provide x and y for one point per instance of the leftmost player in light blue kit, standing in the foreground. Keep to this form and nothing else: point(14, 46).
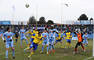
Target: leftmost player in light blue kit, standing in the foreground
point(7, 37)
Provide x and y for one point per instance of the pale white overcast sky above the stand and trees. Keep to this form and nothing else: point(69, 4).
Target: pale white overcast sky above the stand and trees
point(15, 10)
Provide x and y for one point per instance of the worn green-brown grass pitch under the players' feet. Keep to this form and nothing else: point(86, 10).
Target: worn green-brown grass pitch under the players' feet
point(60, 52)
